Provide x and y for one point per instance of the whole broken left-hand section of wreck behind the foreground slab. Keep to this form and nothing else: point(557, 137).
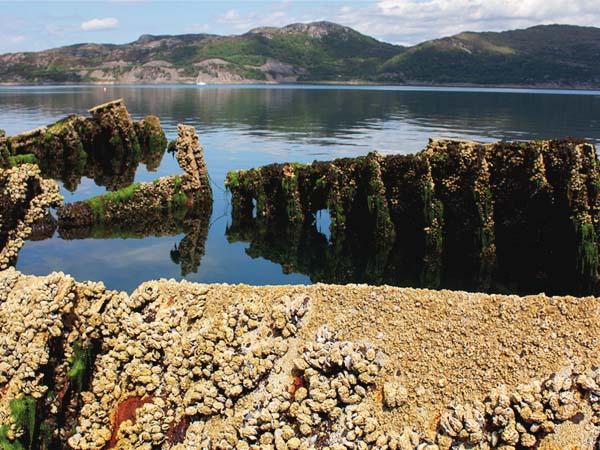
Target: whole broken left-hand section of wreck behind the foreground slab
point(107, 146)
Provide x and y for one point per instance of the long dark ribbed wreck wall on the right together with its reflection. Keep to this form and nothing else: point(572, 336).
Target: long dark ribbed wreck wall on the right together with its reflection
point(517, 217)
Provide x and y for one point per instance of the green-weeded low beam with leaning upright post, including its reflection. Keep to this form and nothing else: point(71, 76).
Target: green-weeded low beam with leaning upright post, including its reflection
point(167, 206)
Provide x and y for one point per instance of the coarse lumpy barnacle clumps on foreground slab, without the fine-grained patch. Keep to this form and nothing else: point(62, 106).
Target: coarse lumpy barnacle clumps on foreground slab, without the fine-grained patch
point(162, 368)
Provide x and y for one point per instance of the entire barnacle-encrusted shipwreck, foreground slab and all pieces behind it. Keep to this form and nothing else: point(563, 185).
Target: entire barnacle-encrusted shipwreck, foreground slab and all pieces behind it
point(179, 365)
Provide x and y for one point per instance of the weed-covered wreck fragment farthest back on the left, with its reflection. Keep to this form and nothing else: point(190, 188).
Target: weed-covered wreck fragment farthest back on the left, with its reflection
point(107, 147)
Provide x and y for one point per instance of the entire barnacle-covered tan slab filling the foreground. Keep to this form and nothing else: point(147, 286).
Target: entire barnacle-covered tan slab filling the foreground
point(188, 366)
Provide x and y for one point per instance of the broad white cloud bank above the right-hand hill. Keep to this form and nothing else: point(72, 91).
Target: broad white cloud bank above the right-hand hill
point(413, 21)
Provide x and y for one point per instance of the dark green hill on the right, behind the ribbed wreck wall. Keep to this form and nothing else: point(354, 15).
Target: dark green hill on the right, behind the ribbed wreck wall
point(559, 55)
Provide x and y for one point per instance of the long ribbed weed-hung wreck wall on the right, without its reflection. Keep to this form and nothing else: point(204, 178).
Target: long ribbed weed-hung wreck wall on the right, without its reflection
point(511, 203)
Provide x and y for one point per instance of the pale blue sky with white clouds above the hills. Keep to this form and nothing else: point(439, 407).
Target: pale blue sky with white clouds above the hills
point(36, 25)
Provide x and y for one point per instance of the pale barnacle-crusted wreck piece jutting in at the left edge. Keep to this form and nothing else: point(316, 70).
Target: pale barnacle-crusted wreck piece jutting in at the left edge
point(24, 198)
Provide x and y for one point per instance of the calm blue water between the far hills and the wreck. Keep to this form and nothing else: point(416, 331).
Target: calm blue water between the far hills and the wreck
point(248, 126)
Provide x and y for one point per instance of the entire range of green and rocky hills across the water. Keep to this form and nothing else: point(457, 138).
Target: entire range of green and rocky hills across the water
point(551, 55)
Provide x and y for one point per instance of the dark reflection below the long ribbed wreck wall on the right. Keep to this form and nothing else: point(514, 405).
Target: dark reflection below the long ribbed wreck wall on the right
point(347, 258)
